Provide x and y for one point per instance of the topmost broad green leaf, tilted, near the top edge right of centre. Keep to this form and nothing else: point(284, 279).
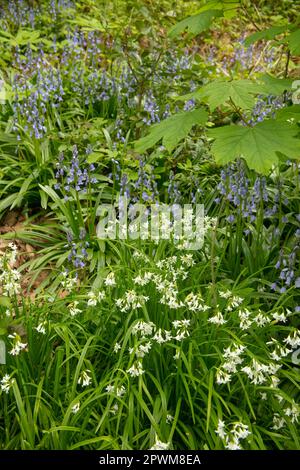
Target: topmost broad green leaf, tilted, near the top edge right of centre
point(195, 24)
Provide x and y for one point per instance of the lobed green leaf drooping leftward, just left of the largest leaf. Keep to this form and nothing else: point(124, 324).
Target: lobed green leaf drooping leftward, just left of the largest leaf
point(172, 130)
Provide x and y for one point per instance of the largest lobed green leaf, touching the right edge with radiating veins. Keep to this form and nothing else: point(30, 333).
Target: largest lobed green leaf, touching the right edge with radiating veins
point(258, 145)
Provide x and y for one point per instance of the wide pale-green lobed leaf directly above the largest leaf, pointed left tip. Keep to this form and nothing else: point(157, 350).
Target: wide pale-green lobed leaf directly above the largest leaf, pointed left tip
point(220, 91)
